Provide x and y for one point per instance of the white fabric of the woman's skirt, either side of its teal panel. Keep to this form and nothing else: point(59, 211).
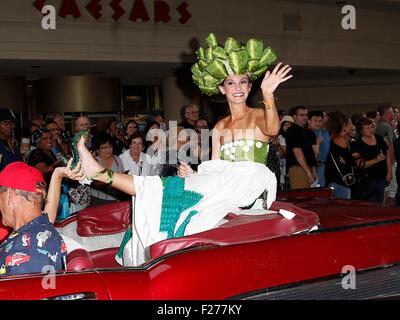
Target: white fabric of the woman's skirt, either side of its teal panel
point(225, 186)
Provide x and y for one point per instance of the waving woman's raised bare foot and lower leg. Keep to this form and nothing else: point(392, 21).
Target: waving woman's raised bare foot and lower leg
point(91, 167)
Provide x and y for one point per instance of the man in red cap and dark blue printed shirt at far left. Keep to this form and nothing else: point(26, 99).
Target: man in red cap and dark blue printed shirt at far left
point(34, 243)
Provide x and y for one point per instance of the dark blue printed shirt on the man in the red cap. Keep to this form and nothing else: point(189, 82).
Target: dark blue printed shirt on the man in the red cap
point(32, 247)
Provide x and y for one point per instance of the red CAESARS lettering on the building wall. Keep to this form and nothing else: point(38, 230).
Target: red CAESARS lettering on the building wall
point(137, 10)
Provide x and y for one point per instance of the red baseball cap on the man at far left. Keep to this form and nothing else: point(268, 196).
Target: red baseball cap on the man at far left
point(18, 175)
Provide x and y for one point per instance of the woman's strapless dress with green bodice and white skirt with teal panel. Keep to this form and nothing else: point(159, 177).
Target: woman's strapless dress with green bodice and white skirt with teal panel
point(175, 207)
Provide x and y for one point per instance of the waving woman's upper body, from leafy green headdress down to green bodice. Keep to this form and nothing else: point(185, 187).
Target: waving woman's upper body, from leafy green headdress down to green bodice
point(244, 134)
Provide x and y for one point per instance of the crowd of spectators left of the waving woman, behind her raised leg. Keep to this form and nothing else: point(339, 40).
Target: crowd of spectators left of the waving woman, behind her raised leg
point(121, 147)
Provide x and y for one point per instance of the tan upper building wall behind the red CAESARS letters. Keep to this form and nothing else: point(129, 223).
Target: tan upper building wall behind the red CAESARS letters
point(321, 41)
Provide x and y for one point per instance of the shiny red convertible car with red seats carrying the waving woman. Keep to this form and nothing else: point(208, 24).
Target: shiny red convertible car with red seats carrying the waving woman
point(330, 249)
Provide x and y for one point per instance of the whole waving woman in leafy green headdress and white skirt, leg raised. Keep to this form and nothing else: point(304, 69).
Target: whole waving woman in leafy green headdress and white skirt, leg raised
point(173, 206)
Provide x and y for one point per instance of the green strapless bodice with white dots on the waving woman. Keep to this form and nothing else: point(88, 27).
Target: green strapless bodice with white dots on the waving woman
point(245, 150)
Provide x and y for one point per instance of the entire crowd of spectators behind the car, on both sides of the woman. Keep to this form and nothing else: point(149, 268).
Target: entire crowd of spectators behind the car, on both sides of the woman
point(313, 149)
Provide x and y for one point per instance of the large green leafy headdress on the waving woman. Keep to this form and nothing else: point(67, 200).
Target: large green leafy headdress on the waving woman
point(216, 63)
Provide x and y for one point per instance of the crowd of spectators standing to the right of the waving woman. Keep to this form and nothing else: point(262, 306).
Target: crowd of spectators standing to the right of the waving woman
point(356, 156)
